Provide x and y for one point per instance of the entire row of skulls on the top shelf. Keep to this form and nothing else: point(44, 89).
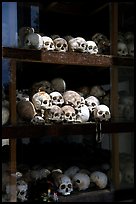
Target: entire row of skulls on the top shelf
point(99, 43)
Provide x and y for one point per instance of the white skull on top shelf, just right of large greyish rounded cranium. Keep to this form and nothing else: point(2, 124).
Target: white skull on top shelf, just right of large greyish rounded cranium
point(48, 43)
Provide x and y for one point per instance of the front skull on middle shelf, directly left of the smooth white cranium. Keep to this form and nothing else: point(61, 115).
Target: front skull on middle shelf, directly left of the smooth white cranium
point(69, 113)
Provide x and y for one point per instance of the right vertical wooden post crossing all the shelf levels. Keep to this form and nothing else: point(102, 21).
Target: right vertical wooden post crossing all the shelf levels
point(114, 91)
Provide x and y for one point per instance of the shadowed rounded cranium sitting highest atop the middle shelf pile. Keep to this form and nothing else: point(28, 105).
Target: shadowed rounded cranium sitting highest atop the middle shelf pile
point(58, 84)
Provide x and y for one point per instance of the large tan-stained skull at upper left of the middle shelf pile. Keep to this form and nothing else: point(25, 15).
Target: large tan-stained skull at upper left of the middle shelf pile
point(41, 101)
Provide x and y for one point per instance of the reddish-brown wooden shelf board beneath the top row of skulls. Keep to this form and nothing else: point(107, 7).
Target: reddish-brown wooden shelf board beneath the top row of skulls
point(68, 58)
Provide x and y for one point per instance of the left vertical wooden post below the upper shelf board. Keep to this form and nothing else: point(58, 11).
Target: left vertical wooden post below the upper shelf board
point(12, 142)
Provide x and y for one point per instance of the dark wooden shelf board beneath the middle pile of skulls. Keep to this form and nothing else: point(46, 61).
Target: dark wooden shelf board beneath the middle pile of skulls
point(64, 129)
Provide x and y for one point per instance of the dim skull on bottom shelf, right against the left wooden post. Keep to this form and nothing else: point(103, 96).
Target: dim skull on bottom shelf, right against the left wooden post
point(22, 188)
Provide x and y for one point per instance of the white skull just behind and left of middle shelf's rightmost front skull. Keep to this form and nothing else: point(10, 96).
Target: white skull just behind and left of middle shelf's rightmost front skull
point(91, 102)
